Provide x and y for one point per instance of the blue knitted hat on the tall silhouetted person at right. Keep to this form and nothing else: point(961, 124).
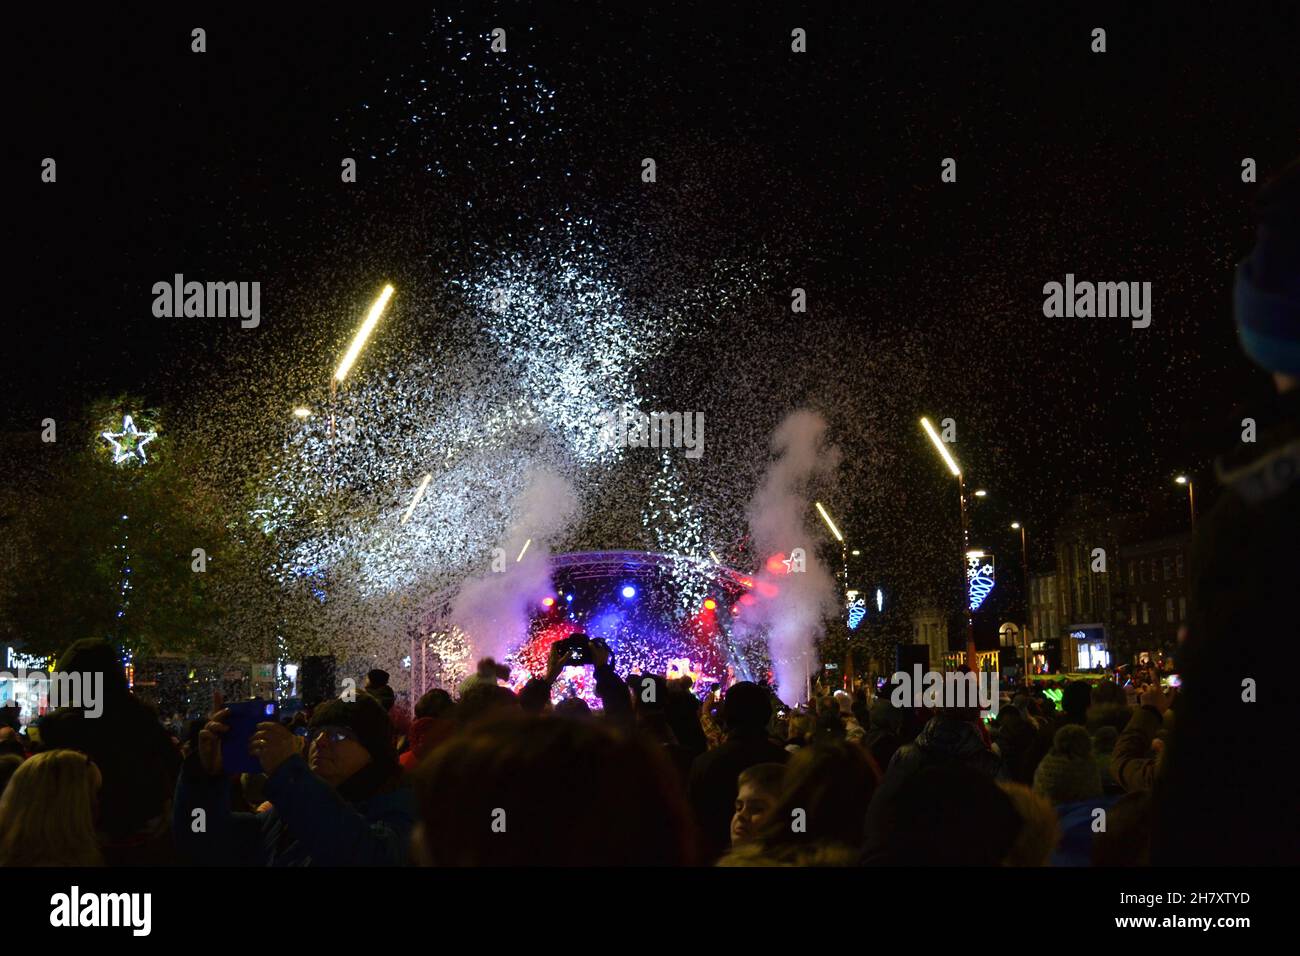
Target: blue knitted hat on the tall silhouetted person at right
point(1267, 296)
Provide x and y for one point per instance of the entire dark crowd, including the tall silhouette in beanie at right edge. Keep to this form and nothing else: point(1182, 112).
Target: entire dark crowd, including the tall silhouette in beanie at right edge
point(657, 776)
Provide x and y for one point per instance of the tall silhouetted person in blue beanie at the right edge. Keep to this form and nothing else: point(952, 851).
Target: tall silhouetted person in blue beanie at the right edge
point(1234, 707)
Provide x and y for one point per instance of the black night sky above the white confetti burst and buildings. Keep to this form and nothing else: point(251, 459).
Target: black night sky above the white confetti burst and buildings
point(775, 171)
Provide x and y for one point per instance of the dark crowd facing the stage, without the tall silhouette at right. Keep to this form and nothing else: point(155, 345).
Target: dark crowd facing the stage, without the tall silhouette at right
point(653, 777)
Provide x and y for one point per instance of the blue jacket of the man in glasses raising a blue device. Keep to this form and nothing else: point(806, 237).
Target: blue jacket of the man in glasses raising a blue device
point(310, 824)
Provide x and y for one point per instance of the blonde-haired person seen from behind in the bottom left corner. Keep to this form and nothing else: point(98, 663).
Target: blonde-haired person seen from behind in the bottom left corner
point(47, 814)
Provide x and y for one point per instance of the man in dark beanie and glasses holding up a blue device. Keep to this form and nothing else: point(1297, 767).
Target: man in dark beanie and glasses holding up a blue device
point(343, 803)
